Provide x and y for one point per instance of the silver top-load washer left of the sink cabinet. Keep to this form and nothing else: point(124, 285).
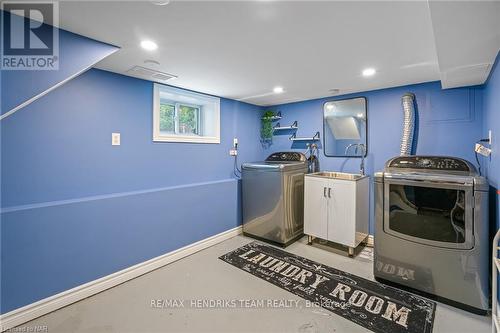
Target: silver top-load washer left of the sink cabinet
point(273, 197)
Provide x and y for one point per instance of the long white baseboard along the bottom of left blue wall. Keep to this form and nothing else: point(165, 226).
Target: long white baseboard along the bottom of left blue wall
point(34, 310)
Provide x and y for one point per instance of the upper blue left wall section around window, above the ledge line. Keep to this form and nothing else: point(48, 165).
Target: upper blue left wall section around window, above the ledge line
point(67, 138)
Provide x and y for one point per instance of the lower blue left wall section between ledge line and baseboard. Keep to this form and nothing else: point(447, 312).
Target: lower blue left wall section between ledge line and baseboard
point(50, 249)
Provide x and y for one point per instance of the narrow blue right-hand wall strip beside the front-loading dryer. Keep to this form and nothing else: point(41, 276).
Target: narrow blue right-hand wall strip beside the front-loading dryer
point(492, 122)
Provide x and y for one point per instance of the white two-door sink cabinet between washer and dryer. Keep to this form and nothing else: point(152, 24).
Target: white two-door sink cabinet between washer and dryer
point(337, 209)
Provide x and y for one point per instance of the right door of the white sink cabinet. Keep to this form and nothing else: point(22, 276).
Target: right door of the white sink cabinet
point(342, 212)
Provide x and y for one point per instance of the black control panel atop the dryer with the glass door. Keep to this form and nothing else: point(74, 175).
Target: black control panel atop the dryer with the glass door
point(431, 163)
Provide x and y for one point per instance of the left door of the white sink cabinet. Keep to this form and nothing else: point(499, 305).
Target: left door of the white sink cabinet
point(315, 207)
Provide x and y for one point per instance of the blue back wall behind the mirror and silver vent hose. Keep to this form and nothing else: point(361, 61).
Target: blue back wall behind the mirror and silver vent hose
point(450, 122)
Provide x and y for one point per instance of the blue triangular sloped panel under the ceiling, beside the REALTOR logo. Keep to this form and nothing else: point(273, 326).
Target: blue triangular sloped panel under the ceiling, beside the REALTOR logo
point(76, 53)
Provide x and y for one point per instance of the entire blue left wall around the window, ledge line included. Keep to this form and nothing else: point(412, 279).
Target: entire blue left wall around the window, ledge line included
point(75, 208)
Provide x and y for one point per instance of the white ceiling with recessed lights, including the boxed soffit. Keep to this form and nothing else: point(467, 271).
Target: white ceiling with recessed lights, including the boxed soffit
point(241, 50)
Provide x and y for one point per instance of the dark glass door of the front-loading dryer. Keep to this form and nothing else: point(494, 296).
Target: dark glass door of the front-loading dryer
point(436, 214)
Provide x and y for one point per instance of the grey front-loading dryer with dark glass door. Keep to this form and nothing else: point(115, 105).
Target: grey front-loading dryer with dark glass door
point(431, 229)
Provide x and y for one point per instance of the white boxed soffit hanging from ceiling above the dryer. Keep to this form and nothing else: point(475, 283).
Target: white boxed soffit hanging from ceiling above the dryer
point(467, 37)
